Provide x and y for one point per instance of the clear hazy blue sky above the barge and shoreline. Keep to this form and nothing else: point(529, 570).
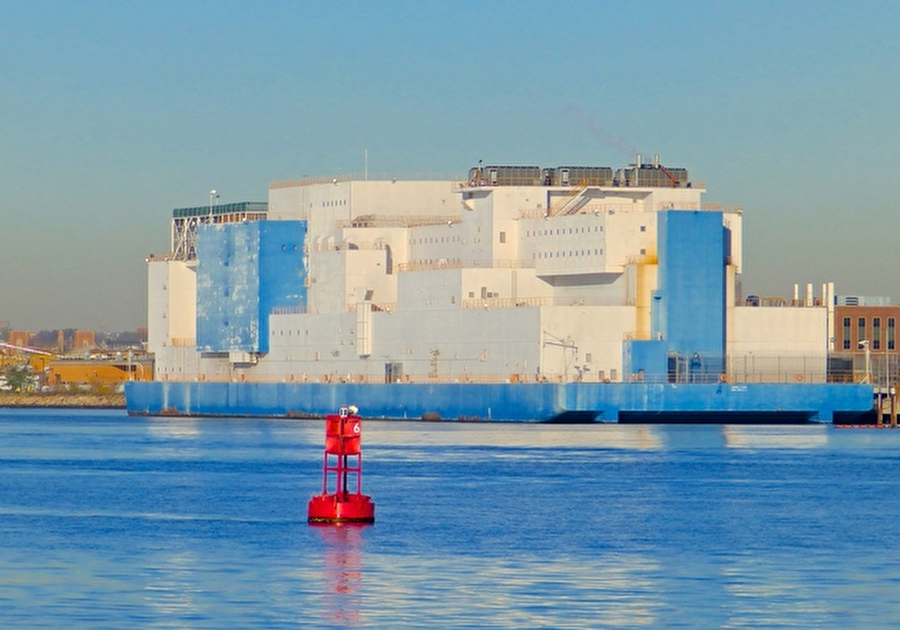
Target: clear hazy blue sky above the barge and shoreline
point(114, 113)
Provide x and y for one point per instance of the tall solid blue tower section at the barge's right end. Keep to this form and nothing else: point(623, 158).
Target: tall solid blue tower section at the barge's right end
point(688, 308)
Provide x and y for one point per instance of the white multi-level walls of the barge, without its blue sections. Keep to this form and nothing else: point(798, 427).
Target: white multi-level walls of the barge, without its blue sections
point(476, 280)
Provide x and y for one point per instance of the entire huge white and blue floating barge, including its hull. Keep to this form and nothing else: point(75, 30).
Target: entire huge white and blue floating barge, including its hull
point(520, 293)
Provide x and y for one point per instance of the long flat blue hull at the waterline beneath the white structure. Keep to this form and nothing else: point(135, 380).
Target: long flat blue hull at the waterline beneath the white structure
point(510, 402)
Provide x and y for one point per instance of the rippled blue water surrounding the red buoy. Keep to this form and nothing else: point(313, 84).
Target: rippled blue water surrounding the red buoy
point(110, 521)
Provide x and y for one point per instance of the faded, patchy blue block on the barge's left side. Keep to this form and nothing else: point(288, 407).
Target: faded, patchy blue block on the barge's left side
point(244, 271)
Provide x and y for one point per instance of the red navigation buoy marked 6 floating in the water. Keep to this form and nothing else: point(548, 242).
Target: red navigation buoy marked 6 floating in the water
point(343, 462)
